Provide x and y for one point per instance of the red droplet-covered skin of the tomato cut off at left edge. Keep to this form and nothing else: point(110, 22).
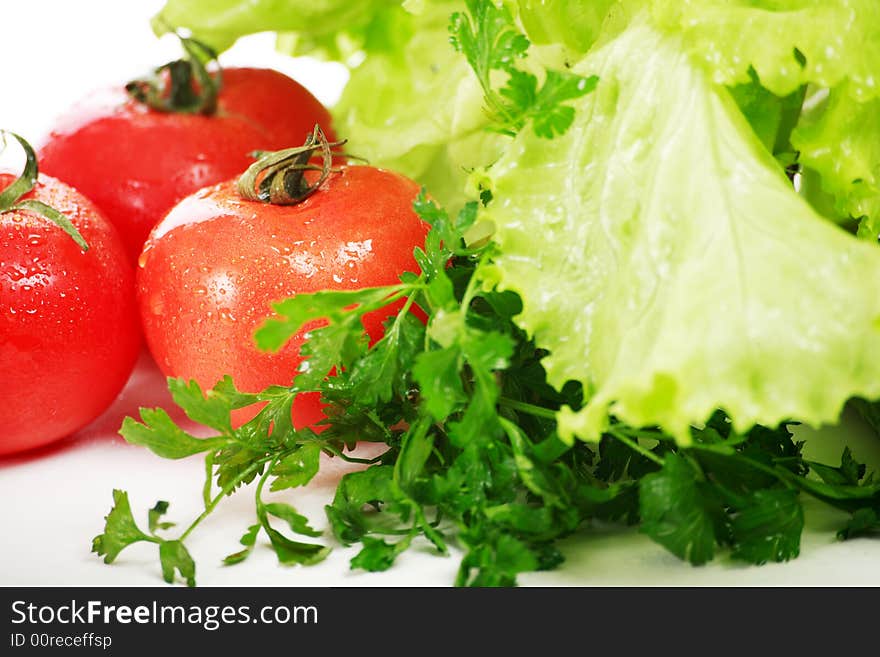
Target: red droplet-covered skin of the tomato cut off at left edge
point(69, 333)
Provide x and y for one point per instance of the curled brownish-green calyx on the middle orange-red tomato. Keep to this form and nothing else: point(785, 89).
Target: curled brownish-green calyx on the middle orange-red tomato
point(279, 177)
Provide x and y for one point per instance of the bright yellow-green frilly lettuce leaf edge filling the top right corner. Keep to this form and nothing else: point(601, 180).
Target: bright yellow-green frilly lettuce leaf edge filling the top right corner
point(789, 43)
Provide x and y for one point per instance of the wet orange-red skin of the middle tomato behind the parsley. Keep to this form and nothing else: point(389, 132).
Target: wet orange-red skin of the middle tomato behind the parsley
point(214, 265)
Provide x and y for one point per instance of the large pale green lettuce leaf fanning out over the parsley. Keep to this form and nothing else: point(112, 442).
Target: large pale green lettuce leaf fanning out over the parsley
point(666, 262)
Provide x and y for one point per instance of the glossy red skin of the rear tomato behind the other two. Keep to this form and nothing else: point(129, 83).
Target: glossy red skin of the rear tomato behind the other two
point(136, 163)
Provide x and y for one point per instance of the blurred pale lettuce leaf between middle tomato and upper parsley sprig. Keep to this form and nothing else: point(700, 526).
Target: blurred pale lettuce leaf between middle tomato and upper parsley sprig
point(417, 108)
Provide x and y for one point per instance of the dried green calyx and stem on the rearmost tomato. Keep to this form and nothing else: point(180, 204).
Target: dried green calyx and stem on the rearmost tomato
point(184, 85)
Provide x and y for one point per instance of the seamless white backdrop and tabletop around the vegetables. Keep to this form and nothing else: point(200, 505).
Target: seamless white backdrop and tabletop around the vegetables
point(53, 503)
